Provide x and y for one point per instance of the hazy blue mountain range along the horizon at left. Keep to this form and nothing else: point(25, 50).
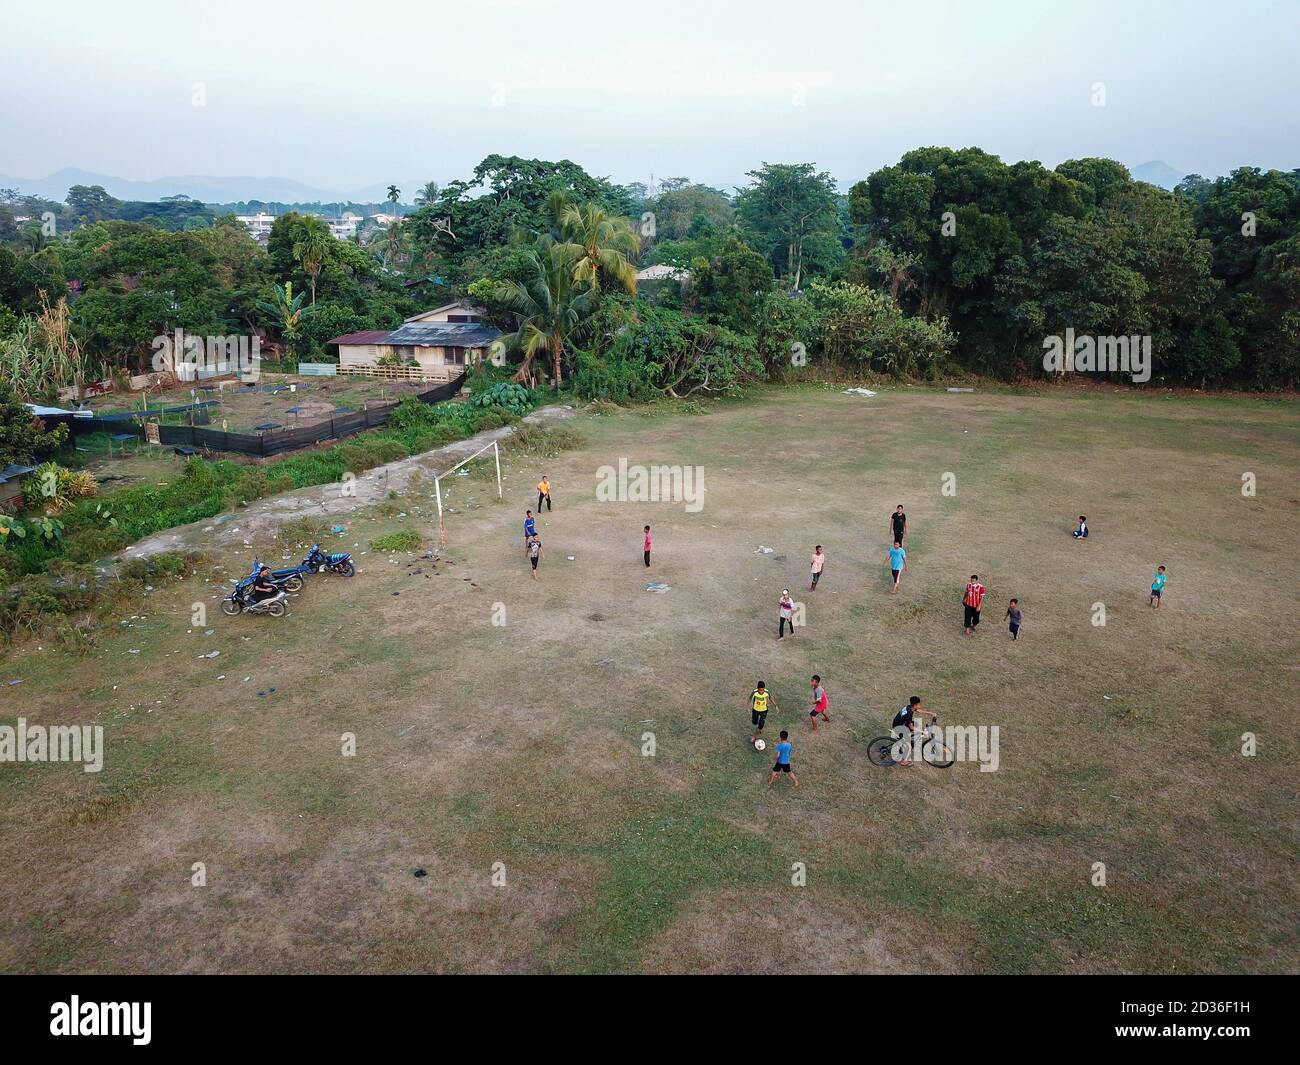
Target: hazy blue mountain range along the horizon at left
point(201, 188)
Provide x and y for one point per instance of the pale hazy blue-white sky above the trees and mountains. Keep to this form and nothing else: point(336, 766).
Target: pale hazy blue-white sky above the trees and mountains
point(344, 96)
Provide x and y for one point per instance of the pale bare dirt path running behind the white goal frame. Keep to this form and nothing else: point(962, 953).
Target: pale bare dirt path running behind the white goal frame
point(265, 517)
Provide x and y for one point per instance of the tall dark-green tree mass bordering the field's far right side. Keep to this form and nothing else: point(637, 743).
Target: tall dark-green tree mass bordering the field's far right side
point(1016, 253)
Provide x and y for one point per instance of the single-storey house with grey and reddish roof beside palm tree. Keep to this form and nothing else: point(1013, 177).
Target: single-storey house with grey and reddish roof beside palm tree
point(435, 345)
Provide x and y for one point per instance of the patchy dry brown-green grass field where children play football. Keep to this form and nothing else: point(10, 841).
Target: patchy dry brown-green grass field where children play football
point(522, 743)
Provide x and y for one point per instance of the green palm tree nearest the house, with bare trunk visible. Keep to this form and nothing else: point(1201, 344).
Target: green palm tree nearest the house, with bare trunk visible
point(549, 309)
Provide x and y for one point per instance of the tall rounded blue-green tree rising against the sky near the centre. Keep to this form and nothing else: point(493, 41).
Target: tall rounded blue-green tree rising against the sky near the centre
point(791, 213)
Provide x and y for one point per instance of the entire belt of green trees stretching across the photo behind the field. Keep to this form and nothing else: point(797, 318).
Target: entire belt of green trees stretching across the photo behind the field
point(950, 258)
